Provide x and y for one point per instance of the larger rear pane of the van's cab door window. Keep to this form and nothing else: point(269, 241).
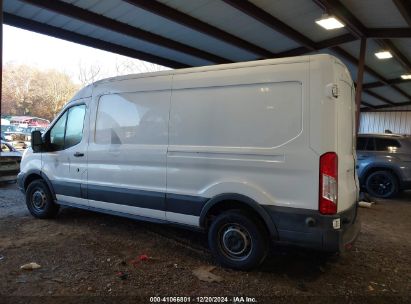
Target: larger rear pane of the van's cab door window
point(75, 123)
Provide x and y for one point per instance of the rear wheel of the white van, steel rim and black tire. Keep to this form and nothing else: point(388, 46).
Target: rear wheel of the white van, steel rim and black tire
point(238, 241)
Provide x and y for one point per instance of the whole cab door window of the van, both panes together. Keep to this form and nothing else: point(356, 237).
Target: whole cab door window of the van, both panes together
point(68, 130)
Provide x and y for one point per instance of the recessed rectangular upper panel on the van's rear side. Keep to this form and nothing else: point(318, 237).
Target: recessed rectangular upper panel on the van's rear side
point(244, 116)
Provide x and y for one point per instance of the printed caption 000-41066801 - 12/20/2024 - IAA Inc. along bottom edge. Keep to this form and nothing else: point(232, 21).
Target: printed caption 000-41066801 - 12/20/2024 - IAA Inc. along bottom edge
point(235, 299)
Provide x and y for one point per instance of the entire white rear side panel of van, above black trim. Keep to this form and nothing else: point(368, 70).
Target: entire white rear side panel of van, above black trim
point(243, 131)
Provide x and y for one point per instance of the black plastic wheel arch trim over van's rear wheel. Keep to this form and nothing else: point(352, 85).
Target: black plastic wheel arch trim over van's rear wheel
point(225, 202)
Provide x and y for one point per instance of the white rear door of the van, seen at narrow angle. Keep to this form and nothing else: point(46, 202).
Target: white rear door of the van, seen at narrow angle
point(347, 179)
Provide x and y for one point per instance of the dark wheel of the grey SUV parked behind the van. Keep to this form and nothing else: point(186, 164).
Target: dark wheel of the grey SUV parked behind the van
point(382, 184)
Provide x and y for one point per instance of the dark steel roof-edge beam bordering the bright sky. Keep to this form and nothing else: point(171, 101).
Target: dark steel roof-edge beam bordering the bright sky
point(56, 32)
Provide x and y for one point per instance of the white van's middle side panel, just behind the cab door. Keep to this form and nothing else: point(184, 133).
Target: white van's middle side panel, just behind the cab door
point(127, 152)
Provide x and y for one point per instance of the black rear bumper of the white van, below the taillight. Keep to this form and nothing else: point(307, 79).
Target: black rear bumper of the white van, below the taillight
point(310, 229)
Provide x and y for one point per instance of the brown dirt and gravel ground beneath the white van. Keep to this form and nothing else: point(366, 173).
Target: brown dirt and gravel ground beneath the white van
point(95, 257)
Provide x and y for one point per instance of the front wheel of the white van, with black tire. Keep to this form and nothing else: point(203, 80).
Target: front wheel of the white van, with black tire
point(39, 200)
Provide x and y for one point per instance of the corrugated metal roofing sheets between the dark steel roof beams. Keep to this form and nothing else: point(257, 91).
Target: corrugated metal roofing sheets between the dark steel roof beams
point(299, 15)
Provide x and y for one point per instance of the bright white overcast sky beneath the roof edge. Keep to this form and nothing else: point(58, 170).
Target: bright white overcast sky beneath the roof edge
point(45, 52)
